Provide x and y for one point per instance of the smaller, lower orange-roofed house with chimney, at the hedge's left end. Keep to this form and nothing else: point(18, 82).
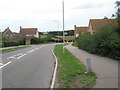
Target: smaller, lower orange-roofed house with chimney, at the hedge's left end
point(81, 30)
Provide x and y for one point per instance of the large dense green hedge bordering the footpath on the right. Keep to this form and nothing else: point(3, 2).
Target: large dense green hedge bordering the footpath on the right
point(104, 42)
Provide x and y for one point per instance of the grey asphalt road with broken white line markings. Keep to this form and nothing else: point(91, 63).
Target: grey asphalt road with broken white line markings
point(30, 67)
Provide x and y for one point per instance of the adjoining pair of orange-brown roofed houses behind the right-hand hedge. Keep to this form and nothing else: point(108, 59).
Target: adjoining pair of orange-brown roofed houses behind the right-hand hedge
point(94, 25)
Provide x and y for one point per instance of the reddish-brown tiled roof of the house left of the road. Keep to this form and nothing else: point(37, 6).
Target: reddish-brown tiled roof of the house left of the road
point(28, 31)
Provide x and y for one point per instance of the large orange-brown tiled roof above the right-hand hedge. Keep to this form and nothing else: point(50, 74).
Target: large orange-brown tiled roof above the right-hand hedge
point(98, 23)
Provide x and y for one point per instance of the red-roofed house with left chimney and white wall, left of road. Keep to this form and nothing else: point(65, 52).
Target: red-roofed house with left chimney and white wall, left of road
point(25, 32)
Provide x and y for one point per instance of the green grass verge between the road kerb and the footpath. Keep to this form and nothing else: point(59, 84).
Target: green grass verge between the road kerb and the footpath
point(71, 72)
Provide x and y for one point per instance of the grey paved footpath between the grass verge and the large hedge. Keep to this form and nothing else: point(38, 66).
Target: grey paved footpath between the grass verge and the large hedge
point(106, 69)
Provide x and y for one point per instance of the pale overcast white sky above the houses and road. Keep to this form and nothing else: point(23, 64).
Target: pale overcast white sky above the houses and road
point(41, 14)
